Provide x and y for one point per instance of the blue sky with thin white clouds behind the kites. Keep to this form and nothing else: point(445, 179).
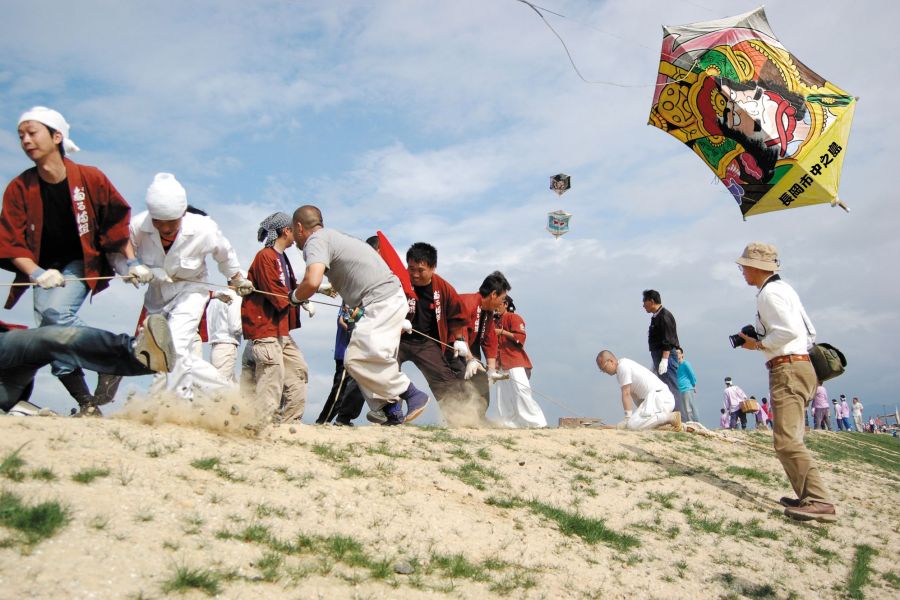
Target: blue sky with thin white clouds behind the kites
point(443, 122)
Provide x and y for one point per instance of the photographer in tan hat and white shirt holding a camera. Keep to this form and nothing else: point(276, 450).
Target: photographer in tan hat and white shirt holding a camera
point(785, 334)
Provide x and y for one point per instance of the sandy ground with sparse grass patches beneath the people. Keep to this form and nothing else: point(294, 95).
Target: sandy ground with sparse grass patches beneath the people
point(273, 516)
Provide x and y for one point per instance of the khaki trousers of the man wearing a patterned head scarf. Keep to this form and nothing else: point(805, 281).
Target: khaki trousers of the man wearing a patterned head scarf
point(281, 378)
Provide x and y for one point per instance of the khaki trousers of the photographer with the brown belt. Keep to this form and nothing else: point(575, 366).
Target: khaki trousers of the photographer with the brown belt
point(791, 387)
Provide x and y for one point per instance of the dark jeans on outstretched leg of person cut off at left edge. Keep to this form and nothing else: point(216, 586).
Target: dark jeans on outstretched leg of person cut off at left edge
point(24, 351)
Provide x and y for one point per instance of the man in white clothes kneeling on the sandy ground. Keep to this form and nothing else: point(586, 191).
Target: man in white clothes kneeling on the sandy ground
point(640, 387)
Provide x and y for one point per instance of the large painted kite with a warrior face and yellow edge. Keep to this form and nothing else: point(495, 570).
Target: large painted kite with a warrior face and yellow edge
point(773, 131)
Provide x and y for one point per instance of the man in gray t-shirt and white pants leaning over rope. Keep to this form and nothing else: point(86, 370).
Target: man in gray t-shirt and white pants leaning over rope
point(363, 280)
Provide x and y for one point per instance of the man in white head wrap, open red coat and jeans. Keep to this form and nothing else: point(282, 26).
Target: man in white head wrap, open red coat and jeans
point(59, 222)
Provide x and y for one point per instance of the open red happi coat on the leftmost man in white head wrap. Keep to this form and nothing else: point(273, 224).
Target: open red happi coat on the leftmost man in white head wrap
point(101, 215)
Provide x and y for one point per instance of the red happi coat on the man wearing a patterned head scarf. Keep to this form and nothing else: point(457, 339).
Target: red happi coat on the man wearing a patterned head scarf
point(263, 315)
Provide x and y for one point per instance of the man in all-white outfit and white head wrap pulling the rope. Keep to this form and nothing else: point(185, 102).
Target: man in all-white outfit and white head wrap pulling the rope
point(174, 244)
